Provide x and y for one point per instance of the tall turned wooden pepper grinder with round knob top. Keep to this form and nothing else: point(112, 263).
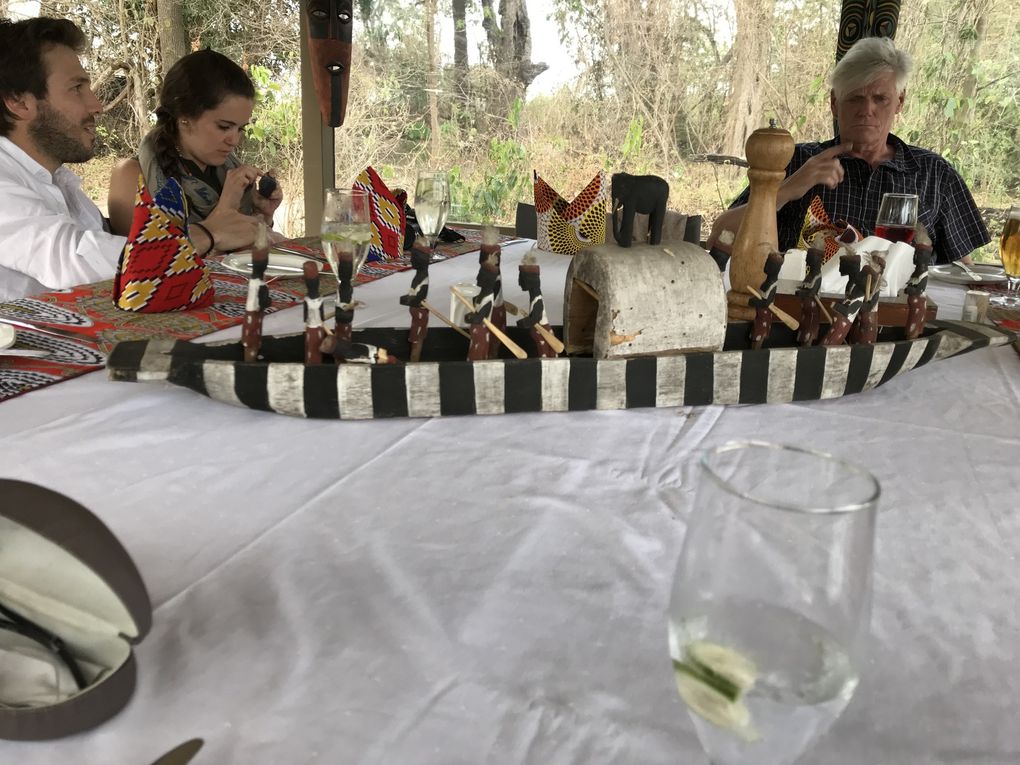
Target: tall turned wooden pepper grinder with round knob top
point(770, 151)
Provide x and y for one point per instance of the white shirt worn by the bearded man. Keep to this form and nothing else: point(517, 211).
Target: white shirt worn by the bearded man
point(52, 234)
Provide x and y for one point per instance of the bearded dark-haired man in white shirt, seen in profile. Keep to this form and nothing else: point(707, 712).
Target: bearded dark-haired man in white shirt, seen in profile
point(53, 236)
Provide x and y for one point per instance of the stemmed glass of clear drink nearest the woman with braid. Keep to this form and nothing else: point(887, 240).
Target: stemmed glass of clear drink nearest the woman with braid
point(347, 233)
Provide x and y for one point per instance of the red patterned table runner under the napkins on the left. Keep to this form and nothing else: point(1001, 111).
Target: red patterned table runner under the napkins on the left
point(88, 313)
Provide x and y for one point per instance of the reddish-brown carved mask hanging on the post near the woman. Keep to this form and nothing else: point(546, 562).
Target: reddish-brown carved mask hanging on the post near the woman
point(330, 36)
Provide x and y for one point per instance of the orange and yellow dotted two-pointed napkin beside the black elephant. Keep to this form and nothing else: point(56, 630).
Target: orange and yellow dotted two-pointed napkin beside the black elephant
point(568, 228)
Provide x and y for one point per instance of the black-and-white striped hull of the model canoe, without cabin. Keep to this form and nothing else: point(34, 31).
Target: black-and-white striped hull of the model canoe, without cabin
point(447, 385)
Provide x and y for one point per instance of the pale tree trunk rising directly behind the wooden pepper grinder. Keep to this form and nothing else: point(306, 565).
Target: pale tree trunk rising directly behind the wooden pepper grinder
point(751, 61)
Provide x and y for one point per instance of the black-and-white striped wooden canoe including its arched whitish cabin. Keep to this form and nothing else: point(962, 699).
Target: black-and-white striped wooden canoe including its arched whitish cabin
point(645, 327)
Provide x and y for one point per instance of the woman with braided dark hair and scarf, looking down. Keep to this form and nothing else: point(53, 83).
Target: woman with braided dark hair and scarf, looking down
point(205, 106)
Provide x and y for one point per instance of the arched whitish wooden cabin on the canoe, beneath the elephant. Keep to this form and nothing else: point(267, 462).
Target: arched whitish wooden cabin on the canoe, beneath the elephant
point(648, 299)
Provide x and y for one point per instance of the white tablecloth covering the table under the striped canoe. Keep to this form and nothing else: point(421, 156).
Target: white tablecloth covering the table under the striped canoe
point(495, 589)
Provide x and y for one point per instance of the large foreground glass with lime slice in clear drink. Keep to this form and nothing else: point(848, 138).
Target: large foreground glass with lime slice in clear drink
point(773, 597)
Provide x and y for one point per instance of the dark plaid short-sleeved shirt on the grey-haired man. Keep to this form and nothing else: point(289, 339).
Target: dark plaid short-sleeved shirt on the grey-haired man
point(947, 209)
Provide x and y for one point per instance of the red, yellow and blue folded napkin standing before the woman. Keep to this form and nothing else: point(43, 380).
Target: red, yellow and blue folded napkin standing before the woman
point(160, 270)
